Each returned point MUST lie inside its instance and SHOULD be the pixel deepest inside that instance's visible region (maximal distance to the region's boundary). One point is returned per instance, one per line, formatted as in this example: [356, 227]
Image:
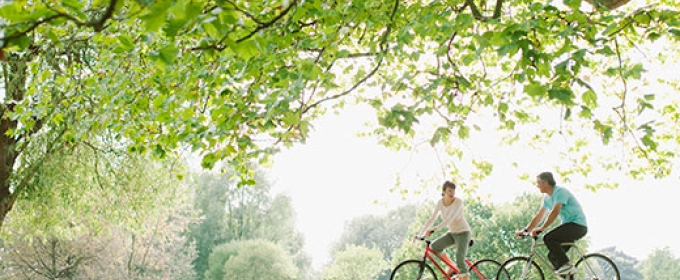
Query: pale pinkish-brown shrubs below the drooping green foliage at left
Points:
[159, 253]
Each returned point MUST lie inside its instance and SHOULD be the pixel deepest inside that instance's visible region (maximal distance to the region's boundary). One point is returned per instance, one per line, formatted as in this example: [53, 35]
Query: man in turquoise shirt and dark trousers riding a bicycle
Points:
[558, 201]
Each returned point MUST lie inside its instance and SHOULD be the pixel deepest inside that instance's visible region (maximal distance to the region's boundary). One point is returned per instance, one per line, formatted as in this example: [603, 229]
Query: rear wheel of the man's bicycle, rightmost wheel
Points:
[596, 267]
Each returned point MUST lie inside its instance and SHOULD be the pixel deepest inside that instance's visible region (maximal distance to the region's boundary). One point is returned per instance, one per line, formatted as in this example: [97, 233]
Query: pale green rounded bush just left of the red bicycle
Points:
[356, 262]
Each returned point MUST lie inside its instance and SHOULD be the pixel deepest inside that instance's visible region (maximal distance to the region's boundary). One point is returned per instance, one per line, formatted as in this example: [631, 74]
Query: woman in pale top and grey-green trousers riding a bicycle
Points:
[451, 210]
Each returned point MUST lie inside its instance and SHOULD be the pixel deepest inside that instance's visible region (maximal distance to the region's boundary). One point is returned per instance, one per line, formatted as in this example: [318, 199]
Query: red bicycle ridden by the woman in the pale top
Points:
[419, 269]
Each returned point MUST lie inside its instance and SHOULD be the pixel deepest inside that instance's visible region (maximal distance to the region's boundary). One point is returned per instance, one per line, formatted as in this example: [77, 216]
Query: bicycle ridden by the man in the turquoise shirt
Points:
[589, 266]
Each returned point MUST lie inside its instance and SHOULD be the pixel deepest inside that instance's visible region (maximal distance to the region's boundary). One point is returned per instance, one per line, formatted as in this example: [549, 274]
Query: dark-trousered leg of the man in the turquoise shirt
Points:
[568, 232]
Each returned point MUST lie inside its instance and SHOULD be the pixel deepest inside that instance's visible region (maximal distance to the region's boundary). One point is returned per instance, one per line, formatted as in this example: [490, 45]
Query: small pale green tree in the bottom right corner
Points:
[661, 264]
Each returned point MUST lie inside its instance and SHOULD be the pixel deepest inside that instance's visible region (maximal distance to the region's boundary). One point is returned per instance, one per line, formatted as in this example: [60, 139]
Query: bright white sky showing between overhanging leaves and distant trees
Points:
[337, 176]
